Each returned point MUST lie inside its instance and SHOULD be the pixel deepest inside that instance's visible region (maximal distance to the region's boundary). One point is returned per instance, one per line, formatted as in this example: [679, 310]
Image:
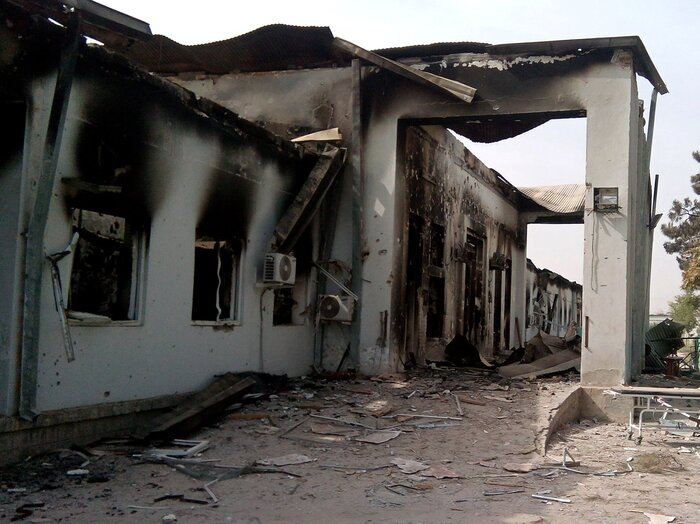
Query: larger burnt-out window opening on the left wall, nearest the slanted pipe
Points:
[106, 267]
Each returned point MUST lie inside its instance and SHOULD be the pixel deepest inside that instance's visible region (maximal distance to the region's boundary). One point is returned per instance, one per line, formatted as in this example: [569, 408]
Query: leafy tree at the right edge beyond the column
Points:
[684, 231]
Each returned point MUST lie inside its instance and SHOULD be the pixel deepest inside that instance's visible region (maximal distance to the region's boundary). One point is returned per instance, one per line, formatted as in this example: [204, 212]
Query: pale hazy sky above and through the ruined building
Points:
[670, 32]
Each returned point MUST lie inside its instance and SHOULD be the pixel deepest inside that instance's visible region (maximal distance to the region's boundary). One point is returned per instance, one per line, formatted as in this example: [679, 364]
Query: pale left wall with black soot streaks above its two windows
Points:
[135, 151]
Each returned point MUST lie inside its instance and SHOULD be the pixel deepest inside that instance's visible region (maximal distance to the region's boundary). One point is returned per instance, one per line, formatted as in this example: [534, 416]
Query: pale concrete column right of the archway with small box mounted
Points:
[611, 161]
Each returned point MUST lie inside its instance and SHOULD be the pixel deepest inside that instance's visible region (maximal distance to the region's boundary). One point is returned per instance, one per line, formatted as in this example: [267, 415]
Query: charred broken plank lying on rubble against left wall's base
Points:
[199, 407]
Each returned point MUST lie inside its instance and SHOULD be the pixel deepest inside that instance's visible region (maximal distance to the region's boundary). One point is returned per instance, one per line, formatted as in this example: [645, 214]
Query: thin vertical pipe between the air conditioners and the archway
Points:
[357, 210]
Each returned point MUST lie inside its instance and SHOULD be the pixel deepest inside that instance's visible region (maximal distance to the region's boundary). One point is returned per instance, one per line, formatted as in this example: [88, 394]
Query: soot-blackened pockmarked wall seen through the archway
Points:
[463, 245]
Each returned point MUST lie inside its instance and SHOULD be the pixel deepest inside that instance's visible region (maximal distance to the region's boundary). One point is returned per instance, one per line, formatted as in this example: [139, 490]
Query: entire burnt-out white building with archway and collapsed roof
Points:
[161, 227]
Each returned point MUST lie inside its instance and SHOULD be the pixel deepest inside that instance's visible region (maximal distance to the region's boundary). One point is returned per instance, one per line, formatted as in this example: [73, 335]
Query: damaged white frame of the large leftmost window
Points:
[138, 234]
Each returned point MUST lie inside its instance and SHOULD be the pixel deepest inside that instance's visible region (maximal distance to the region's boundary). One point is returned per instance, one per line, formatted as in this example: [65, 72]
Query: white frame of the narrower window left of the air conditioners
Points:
[234, 316]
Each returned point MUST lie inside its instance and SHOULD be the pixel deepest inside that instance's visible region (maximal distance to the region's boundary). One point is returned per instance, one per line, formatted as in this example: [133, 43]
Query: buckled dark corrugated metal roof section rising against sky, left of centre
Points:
[270, 48]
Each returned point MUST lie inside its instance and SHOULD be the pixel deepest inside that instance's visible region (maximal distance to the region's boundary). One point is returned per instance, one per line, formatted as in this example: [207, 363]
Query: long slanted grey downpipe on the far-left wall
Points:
[34, 260]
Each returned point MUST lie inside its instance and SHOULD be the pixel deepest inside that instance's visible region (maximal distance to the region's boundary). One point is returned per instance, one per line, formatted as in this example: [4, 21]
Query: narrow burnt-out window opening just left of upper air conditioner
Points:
[217, 270]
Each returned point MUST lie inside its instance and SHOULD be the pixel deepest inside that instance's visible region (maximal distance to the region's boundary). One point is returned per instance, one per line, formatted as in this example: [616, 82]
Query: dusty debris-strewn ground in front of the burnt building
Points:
[347, 480]
